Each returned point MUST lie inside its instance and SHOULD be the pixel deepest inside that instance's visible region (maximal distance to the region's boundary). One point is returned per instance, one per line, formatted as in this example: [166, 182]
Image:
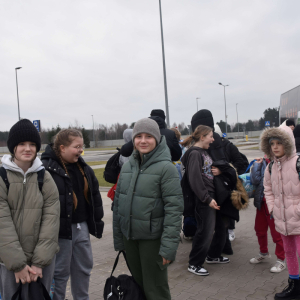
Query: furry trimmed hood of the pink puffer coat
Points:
[285, 134]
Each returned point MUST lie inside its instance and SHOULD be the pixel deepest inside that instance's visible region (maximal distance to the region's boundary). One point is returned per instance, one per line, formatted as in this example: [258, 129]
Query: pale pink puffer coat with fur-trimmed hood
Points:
[282, 187]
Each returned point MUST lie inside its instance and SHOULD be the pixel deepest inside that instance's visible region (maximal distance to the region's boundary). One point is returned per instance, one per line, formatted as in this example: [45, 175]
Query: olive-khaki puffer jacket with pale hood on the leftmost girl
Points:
[29, 219]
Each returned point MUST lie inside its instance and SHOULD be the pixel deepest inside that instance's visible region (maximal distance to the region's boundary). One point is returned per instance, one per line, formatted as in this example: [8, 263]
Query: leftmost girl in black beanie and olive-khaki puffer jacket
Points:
[29, 217]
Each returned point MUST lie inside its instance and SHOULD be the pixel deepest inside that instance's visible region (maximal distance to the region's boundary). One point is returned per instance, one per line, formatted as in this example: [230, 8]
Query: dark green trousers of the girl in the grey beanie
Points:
[147, 268]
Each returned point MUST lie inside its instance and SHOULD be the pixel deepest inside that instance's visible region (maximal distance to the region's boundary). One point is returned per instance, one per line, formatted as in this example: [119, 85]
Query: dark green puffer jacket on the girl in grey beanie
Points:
[148, 203]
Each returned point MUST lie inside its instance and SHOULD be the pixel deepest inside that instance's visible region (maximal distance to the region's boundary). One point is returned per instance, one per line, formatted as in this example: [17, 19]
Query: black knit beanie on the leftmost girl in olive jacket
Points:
[23, 131]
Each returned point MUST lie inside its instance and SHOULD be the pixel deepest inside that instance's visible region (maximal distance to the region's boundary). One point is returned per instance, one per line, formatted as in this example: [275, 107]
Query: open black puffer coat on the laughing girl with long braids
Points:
[64, 185]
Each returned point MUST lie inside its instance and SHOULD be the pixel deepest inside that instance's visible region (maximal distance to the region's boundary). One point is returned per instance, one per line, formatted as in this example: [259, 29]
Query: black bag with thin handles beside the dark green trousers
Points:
[124, 287]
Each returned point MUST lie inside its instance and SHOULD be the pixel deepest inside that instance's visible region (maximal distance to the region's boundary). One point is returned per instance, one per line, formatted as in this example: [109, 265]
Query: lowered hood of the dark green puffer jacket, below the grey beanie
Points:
[160, 153]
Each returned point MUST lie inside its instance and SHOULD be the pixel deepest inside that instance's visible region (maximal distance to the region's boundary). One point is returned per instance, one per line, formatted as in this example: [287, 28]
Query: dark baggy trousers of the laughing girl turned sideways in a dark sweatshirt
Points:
[206, 219]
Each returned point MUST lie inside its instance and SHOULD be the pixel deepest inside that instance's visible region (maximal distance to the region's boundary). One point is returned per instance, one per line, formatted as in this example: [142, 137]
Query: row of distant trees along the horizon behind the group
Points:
[115, 131]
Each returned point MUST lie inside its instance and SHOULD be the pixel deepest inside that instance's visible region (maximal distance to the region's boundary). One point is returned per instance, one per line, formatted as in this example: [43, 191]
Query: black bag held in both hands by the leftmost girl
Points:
[37, 291]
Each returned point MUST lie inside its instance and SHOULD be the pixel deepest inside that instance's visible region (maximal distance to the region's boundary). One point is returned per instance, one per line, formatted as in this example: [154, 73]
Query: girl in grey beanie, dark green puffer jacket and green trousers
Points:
[148, 209]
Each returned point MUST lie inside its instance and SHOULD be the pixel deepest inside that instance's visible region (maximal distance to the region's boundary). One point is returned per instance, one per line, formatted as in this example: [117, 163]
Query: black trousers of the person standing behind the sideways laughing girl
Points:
[219, 239]
